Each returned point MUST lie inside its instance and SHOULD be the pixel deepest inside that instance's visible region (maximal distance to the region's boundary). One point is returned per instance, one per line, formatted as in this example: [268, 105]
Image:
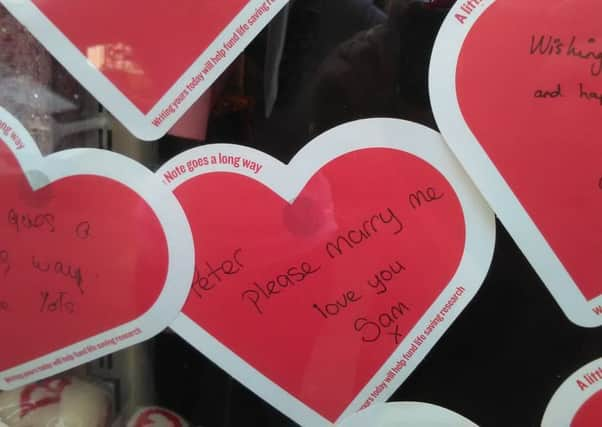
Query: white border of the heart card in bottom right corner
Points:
[568, 399]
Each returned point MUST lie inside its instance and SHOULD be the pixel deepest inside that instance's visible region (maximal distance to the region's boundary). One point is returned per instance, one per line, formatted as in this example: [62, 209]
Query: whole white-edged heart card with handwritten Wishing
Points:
[521, 113]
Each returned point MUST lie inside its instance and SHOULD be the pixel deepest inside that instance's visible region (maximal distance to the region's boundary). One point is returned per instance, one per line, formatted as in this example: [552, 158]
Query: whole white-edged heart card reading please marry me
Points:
[321, 284]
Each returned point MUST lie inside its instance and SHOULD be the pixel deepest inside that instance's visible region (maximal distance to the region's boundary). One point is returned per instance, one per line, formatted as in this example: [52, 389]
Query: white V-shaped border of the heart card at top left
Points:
[110, 96]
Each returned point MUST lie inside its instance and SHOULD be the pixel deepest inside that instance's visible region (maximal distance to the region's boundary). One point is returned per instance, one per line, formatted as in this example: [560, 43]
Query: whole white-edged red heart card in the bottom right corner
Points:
[578, 401]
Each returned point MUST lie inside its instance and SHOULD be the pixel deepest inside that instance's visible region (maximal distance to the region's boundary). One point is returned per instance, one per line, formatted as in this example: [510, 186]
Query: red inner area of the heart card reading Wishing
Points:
[546, 149]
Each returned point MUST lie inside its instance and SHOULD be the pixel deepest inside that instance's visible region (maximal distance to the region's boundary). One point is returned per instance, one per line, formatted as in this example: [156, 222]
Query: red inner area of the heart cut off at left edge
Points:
[104, 249]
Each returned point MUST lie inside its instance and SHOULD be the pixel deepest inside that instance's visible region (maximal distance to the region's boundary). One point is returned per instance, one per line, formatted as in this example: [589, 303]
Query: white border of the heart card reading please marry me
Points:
[370, 133]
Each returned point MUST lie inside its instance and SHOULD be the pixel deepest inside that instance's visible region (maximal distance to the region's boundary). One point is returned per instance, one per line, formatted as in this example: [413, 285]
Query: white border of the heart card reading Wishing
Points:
[442, 89]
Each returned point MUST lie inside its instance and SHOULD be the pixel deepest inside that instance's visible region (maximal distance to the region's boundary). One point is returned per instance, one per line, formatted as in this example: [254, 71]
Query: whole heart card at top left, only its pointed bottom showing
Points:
[145, 62]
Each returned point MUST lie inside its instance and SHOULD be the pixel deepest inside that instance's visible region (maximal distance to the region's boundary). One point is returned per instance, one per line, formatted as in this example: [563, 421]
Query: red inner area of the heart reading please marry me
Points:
[246, 236]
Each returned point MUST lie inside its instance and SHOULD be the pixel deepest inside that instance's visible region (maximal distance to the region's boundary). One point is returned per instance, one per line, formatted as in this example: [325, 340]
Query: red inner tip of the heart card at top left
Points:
[142, 47]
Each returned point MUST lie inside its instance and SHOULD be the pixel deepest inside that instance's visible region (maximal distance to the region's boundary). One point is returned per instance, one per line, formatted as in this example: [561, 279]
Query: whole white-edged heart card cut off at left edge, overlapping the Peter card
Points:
[93, 256]
